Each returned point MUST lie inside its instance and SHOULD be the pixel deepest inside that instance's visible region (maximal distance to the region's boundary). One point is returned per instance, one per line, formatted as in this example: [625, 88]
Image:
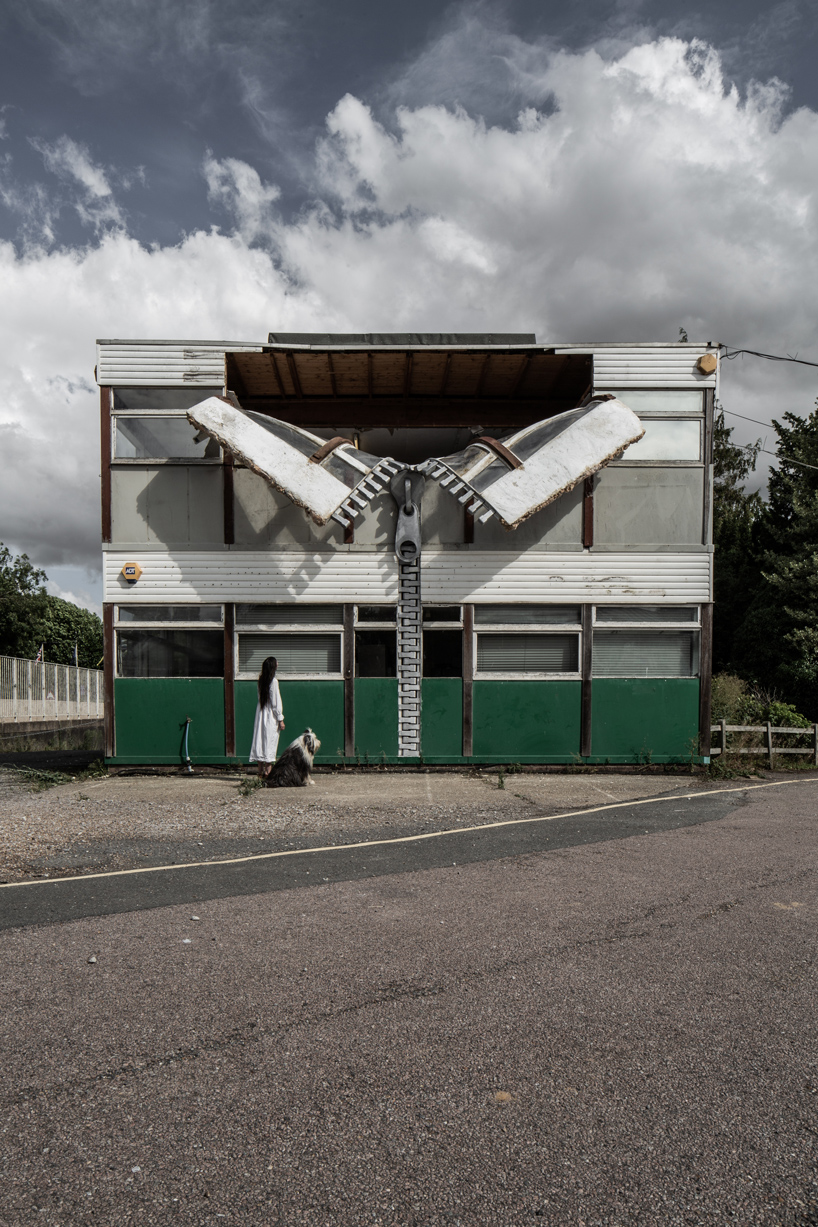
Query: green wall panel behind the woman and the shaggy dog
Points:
[313, 705]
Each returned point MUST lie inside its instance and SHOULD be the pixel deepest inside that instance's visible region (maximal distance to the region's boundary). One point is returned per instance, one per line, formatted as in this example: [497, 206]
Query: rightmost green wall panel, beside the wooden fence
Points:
[646, 718]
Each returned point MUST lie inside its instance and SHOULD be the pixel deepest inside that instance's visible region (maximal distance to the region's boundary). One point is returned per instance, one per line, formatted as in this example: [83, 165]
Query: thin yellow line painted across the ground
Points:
[383, 844]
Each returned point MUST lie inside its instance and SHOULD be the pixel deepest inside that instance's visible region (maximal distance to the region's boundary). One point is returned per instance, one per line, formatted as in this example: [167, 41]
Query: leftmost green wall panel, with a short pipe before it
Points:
[150, 715]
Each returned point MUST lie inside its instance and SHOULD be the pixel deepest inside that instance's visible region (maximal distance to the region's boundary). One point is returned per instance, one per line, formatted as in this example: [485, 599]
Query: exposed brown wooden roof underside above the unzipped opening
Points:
[421, 383]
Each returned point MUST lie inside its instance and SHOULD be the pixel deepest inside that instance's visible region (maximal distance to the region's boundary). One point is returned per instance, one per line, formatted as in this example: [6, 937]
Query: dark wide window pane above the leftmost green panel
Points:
[171, 653]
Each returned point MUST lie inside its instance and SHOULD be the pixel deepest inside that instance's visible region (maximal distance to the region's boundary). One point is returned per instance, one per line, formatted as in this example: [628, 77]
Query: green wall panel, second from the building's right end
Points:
[537, 720]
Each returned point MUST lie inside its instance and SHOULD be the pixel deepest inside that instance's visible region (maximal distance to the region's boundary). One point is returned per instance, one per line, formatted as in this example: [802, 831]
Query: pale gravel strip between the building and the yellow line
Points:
[121, 823]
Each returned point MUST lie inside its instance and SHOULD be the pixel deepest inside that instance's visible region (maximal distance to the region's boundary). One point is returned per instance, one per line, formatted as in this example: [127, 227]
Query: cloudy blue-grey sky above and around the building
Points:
[223, 169]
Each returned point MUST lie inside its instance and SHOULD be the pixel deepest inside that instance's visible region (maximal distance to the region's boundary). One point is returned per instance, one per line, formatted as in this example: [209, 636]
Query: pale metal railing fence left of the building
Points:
[32, 690]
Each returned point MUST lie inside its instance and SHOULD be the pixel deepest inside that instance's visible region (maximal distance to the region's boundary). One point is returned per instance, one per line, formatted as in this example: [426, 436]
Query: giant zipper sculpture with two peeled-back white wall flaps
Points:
[511, 478]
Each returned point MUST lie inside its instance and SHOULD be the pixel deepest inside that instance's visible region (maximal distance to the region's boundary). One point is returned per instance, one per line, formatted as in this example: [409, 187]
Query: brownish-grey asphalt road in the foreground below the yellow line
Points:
[613, 1028]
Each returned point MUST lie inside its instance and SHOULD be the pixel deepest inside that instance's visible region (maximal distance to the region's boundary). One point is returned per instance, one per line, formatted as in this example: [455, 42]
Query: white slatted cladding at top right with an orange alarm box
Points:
[649, 366]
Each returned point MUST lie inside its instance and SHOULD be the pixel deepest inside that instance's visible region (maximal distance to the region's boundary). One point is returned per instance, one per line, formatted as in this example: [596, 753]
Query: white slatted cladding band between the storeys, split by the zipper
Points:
[447, 577]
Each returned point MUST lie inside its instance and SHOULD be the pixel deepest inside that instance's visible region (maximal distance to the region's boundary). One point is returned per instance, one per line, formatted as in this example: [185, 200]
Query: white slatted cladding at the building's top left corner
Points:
[181, 364]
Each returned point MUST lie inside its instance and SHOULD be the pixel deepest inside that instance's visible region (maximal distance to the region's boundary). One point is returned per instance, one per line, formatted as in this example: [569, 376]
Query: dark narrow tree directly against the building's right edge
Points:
[735, 512]
